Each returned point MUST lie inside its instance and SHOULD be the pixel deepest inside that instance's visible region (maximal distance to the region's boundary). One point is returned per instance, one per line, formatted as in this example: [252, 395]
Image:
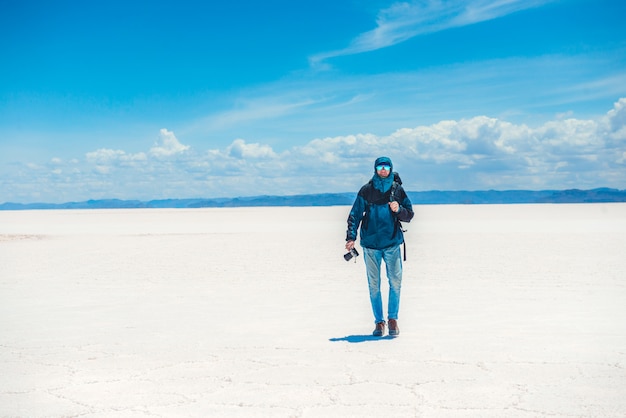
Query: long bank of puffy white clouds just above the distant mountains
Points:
[472, 154]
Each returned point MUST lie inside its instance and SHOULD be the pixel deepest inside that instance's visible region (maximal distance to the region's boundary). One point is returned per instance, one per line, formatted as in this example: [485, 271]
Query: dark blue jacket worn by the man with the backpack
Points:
[380, 227]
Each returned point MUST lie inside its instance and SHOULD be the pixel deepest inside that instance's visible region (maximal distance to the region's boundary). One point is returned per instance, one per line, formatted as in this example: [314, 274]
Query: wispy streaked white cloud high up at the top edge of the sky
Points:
[405, 20]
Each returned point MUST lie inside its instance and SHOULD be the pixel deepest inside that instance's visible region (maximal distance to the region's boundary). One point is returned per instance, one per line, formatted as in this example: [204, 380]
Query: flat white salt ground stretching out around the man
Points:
[507, 311]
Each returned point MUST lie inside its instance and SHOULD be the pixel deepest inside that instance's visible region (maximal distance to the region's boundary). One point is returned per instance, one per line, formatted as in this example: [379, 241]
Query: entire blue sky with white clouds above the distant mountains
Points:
[180, 99]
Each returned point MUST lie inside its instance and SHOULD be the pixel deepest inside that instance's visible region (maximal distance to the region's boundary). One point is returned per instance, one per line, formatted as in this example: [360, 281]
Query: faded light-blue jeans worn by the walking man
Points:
[393, 265]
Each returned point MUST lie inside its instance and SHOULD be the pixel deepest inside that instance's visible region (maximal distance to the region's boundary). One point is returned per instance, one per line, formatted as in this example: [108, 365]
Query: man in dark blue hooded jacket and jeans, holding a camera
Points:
[379, 207]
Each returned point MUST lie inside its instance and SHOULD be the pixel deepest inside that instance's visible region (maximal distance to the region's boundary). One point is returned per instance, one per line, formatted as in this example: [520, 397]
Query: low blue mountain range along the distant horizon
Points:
[434, 197]
